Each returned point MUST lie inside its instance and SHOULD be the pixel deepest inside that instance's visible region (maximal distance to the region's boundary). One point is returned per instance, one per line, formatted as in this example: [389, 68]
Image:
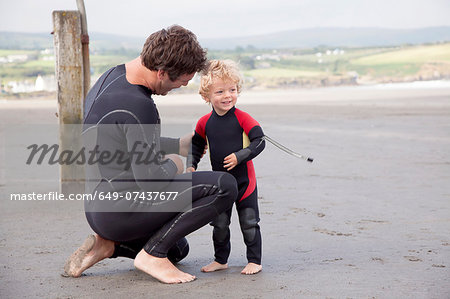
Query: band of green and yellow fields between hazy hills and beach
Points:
[272, 68]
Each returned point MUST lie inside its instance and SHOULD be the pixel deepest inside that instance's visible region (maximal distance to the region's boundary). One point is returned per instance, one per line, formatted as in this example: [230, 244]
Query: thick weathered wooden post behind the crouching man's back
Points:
[69, 76]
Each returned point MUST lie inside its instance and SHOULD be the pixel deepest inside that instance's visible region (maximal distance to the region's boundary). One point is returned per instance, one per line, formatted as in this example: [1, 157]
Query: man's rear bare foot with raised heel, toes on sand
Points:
[93, 250]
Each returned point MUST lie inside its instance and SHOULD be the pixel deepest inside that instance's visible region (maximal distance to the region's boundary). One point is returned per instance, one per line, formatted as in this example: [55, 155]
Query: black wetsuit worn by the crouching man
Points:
[125, 119]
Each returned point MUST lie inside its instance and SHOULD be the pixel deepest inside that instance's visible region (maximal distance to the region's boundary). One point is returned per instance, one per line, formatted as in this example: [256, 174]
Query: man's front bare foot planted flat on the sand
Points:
[160, 268]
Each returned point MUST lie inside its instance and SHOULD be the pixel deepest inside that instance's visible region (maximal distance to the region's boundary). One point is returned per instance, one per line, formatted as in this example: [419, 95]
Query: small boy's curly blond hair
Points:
[226, 70]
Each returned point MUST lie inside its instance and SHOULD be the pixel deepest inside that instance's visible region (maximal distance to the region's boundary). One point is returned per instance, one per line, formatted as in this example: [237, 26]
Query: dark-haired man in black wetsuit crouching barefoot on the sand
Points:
[119, 108]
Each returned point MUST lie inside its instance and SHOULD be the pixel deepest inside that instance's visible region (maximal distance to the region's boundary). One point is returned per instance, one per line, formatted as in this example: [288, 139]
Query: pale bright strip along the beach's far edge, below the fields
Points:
[288, 96]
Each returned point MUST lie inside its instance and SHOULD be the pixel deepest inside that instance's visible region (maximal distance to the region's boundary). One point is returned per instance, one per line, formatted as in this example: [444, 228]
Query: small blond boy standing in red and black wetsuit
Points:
[234, 138]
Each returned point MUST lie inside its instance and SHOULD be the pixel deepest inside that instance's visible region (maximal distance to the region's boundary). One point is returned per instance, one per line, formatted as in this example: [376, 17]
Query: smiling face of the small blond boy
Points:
[222, 95]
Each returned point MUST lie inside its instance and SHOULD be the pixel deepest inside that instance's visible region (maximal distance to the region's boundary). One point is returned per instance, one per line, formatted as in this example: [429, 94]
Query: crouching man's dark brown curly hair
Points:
[174, 50]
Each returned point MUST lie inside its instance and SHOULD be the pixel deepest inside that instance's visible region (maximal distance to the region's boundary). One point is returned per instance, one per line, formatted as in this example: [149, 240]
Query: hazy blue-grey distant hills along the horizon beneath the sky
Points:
[301, 38]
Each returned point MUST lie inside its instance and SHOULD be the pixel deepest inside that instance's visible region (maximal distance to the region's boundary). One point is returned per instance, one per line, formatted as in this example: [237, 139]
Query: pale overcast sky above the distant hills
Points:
[226, 18]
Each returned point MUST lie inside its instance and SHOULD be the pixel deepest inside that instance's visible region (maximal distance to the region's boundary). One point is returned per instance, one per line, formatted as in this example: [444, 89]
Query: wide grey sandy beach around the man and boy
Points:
[369, 218]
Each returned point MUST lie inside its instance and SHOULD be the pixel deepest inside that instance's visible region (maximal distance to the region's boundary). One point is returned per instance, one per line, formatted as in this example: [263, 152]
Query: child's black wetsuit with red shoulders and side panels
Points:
[235, 132]
